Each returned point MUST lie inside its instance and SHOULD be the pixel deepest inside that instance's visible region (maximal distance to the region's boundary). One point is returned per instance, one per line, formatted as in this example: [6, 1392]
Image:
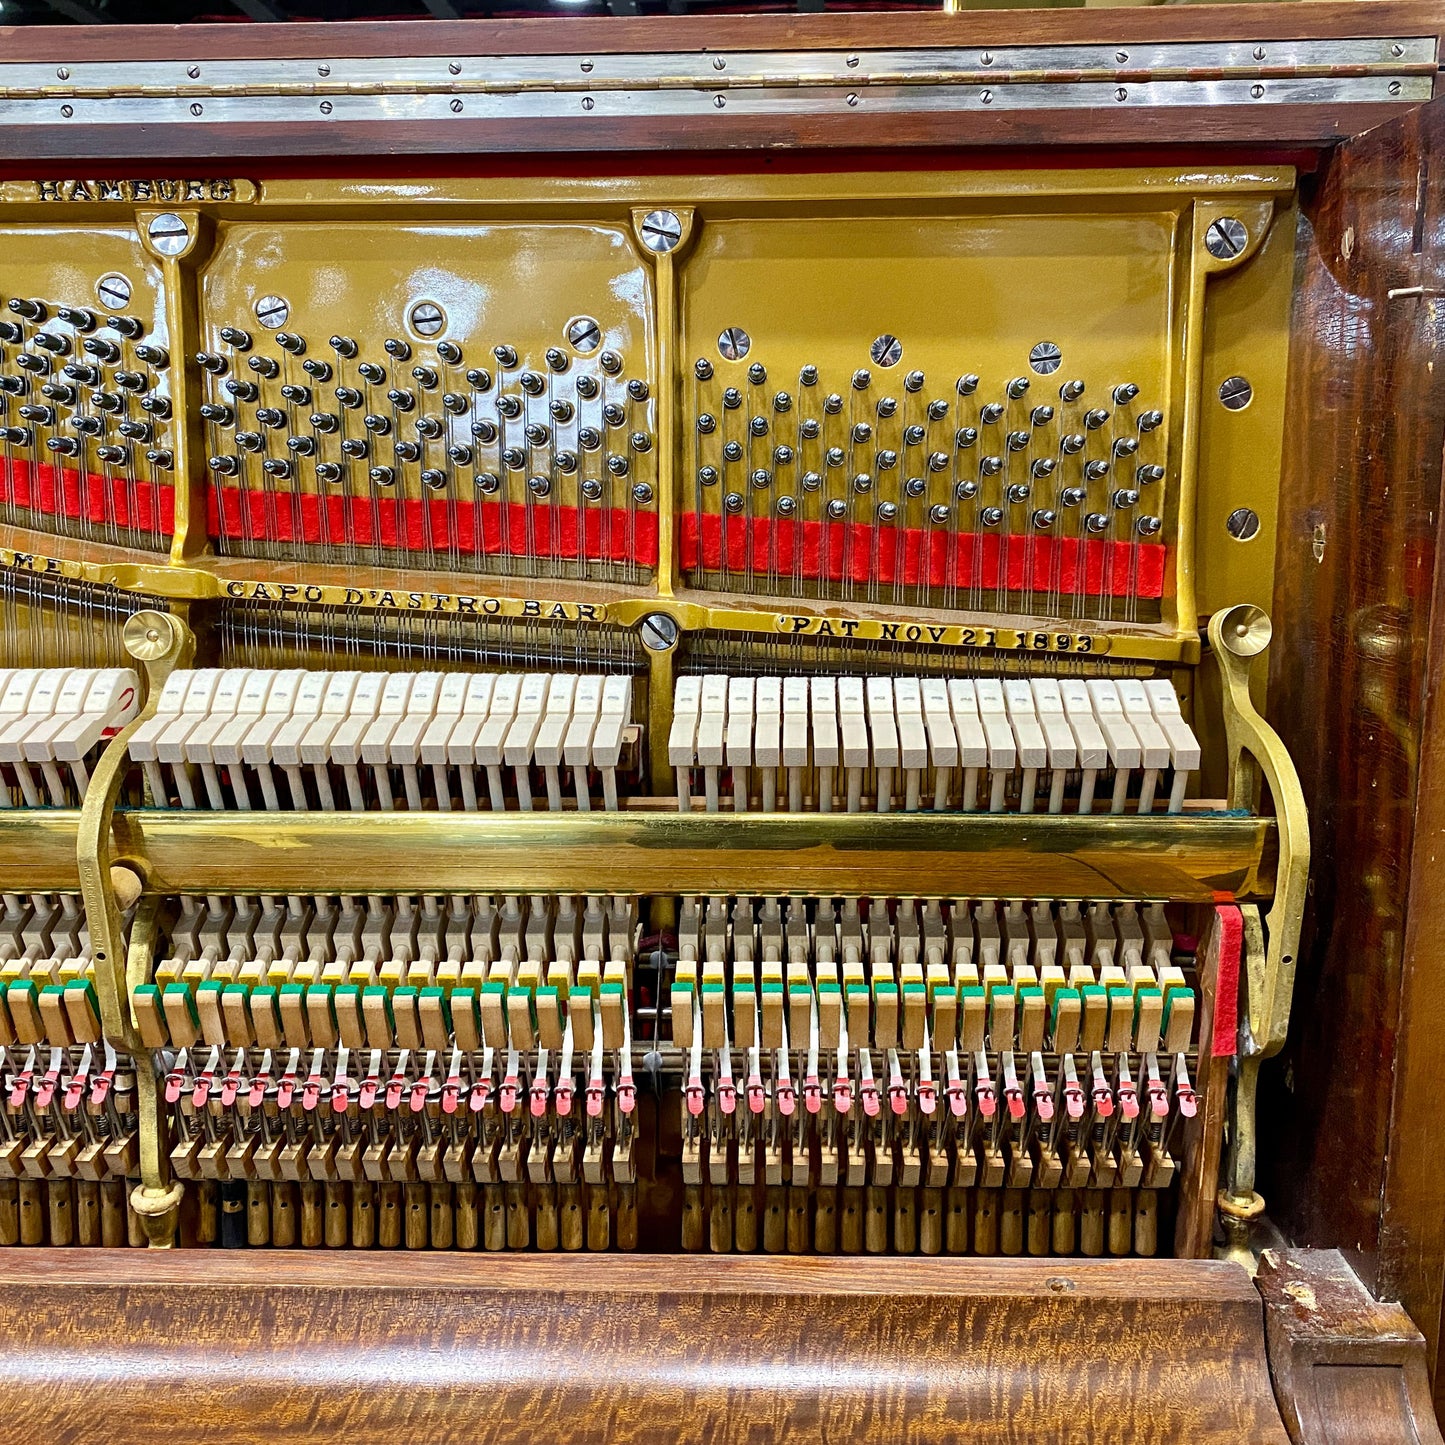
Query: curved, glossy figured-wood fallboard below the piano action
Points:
[269, 1347]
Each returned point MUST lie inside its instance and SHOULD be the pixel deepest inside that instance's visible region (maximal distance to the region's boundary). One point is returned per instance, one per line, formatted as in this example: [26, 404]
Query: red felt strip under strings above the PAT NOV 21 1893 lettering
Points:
[860, 553]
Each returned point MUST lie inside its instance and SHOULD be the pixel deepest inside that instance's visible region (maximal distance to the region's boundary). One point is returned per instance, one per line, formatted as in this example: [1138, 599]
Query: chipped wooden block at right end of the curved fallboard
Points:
[1347, 1369]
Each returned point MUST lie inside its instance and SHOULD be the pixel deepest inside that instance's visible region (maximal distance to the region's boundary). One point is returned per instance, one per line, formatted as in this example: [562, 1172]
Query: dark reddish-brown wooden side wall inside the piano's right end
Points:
[1352, 1123]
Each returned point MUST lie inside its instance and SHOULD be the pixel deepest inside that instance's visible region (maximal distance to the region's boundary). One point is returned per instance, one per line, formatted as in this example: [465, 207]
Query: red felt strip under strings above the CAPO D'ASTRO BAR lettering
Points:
[415, 525]
